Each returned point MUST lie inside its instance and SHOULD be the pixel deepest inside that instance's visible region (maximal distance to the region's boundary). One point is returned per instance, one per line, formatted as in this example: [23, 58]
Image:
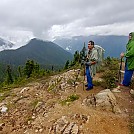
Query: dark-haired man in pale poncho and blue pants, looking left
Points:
[91, 63]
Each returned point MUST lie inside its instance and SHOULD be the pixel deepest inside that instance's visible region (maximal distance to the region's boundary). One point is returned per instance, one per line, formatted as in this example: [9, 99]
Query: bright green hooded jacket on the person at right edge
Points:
[129, 54]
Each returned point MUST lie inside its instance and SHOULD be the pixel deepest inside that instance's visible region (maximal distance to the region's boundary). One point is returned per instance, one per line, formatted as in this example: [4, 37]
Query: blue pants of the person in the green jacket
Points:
[127, 76]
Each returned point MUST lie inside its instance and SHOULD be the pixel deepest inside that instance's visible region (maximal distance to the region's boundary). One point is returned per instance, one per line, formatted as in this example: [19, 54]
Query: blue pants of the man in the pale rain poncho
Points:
[89, 78]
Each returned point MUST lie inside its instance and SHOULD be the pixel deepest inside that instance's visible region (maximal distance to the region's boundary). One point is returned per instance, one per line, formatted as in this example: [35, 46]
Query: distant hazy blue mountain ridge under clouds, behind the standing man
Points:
[113, 45]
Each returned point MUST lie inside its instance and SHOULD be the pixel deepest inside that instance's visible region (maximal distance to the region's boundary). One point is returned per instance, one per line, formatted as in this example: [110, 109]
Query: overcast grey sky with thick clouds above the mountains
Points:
[21, 20]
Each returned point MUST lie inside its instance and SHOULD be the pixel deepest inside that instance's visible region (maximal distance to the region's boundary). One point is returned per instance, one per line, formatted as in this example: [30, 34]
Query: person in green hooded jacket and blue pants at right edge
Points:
[129, 64]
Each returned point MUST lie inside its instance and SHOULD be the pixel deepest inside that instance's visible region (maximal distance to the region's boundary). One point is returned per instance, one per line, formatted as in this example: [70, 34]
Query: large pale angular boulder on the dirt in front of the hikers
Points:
[104, 100]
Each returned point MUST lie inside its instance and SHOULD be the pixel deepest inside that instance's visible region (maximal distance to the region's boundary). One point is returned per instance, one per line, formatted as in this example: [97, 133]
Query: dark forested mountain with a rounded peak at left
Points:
[40, 51]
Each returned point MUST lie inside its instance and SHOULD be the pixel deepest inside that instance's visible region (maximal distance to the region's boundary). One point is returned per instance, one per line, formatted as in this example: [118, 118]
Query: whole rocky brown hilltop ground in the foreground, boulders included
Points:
[61, 105]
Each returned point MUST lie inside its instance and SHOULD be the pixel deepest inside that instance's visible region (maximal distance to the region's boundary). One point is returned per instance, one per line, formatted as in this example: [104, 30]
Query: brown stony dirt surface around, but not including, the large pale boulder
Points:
[32, 109]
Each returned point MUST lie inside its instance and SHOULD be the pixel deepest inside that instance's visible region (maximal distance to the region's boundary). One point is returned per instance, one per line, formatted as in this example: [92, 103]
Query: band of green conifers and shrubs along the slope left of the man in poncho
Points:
[14, 76]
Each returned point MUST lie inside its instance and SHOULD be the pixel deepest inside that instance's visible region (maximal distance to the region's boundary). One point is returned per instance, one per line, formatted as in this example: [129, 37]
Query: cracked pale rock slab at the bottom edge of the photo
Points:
[69, 125]
